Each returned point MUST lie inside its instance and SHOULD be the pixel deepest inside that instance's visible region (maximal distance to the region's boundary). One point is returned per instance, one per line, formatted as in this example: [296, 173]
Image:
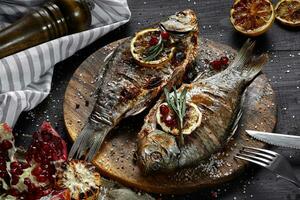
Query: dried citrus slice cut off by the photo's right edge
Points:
[288, 12]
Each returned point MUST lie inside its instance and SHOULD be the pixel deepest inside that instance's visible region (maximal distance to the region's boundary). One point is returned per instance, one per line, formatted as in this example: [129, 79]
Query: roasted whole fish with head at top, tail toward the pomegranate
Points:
[125, 88]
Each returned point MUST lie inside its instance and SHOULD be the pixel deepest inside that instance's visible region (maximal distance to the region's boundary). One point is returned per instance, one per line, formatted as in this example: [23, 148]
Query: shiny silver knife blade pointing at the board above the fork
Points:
[291, 141]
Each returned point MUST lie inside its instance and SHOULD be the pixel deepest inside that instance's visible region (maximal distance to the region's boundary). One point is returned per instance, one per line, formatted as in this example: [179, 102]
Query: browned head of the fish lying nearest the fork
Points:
[158, 151]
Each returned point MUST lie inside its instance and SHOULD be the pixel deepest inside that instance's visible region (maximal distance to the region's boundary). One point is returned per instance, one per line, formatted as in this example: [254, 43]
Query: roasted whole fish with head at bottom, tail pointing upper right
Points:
[217, 99]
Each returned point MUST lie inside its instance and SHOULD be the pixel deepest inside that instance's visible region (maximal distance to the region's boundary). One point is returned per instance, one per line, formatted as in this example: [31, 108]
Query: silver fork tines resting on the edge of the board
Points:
[261, 157]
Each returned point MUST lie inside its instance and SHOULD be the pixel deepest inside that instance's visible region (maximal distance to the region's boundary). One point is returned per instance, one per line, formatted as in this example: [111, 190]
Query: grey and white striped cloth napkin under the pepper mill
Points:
[25, 77]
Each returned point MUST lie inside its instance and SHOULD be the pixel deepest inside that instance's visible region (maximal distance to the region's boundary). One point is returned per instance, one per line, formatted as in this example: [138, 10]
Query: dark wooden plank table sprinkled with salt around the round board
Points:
[283, 71]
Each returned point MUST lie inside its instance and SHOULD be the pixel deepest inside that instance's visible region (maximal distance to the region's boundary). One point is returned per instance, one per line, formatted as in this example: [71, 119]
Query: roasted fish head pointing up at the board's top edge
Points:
[181, 22]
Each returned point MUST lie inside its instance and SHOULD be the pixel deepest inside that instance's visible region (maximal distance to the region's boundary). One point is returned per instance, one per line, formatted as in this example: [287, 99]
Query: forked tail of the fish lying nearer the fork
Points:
[244, 56]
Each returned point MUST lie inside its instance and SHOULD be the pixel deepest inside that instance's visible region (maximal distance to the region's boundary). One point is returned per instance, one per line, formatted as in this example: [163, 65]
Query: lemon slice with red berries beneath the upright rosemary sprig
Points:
[166, 118]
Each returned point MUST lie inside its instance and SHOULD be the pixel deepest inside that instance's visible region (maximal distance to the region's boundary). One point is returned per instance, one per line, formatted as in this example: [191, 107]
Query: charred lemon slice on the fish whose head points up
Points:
[140, 45]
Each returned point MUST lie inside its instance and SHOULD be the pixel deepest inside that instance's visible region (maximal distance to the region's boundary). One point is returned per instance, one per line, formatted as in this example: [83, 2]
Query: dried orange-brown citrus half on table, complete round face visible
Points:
[252, 17]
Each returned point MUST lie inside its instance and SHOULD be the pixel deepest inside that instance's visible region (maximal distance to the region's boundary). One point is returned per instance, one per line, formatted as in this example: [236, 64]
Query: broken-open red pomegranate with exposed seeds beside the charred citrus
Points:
[37, 173]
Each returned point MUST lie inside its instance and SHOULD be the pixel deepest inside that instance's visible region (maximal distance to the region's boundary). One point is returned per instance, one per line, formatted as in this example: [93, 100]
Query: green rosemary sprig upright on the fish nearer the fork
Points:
[178, 105]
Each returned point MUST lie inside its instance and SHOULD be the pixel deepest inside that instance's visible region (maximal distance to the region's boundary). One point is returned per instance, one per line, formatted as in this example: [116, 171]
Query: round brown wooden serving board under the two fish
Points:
[116, 158]
